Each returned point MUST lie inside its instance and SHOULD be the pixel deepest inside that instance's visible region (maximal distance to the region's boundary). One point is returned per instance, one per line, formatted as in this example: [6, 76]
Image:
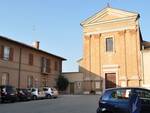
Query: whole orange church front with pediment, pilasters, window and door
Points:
[112, 45]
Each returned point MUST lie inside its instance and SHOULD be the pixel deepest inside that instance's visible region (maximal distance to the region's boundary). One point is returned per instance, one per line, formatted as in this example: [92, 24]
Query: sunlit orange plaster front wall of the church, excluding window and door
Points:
[125, 60]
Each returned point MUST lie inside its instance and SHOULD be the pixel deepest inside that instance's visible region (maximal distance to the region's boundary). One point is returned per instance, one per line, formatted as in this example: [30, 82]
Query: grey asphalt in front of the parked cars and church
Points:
[63, 104]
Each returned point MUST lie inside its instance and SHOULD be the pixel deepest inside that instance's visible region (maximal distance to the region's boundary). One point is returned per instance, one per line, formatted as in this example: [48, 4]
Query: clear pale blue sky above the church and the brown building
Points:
[56, 23]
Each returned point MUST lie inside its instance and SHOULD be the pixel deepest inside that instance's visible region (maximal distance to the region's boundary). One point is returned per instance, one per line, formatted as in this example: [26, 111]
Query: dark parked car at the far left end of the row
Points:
[8, 93]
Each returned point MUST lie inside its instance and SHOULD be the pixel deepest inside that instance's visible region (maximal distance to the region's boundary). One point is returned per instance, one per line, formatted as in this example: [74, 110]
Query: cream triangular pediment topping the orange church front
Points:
[109, 14]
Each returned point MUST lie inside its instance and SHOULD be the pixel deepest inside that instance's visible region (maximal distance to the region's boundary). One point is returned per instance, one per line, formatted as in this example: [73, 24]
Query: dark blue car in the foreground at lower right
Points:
[117, 100]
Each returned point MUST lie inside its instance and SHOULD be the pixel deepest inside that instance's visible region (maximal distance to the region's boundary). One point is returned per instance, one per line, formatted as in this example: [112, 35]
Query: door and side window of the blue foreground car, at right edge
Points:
[145, 99]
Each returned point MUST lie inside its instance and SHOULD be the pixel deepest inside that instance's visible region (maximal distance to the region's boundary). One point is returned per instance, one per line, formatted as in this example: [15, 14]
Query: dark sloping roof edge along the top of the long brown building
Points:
[28, 46]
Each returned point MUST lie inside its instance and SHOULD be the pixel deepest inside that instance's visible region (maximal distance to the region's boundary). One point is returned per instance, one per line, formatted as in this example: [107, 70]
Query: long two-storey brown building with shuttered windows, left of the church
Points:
[24, 66]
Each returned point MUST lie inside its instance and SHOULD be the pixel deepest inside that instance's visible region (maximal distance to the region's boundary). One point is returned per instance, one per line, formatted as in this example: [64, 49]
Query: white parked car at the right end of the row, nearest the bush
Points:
[50, 92]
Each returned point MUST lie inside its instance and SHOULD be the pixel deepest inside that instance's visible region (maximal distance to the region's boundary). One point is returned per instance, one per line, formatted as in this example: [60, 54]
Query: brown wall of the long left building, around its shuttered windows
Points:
[12, 67]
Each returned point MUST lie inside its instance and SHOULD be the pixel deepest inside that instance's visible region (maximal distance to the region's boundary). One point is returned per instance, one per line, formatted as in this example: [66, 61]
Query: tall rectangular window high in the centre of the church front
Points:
[109, 44]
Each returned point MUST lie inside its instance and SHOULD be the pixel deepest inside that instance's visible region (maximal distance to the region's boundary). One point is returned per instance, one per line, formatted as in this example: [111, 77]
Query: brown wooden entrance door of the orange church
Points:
[110, 80]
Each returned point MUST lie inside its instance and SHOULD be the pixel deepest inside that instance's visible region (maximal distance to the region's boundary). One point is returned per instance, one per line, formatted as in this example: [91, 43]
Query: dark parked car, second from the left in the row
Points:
[24, 94]
